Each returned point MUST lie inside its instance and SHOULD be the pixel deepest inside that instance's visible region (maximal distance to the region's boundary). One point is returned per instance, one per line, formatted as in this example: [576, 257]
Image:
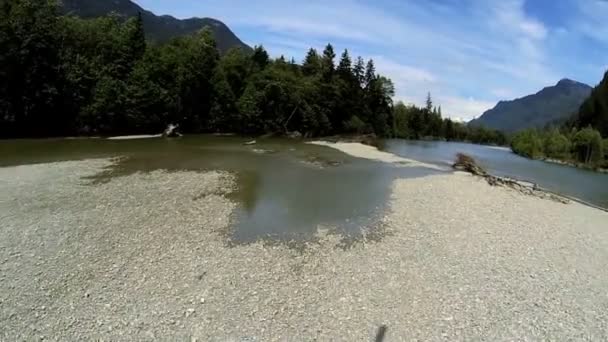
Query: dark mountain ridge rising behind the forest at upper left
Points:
[158, 28]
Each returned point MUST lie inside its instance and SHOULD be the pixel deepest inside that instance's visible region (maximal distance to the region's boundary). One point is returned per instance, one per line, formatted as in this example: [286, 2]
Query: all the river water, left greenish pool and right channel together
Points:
[286, 189]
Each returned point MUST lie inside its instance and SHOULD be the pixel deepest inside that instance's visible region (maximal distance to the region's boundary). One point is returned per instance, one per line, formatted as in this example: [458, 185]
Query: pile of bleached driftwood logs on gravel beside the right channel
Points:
[468, 164]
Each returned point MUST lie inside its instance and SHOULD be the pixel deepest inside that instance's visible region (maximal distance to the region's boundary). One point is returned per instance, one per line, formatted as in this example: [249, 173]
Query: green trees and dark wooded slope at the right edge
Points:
[577, 141]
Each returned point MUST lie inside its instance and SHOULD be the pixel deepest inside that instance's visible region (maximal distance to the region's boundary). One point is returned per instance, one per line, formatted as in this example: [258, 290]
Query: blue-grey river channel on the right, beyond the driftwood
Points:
[584, 184]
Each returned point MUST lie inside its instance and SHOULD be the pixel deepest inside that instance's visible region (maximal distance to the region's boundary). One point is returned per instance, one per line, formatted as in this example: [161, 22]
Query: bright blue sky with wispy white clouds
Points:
[469, 54]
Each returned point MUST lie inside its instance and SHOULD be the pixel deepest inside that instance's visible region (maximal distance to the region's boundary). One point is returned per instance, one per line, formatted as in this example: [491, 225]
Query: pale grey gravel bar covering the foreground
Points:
[145, 257]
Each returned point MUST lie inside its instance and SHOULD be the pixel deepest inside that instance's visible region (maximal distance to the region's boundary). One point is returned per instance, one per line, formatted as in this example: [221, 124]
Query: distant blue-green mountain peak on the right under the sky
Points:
[551, 105]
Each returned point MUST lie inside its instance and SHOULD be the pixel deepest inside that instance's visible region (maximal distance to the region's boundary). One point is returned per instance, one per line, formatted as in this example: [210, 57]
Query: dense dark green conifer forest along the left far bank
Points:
[65, 76]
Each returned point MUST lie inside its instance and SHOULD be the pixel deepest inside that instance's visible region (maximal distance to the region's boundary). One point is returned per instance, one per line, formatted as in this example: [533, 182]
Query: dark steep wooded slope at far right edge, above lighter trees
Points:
[594, 111]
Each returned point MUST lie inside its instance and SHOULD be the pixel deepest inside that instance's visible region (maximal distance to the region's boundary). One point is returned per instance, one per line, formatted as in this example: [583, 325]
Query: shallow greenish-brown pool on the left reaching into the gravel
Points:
[285, 188]
